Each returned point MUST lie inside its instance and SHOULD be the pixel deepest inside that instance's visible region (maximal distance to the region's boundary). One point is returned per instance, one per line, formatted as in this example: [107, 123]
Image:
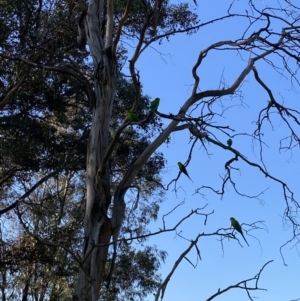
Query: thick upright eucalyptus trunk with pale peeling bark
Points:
[97, 226]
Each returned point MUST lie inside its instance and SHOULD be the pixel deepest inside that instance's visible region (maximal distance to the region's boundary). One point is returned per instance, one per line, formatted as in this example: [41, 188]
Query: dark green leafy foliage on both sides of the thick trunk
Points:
[46, 93]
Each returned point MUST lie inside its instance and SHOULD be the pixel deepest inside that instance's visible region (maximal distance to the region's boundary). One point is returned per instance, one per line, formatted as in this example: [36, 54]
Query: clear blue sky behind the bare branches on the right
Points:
[168, 75]
